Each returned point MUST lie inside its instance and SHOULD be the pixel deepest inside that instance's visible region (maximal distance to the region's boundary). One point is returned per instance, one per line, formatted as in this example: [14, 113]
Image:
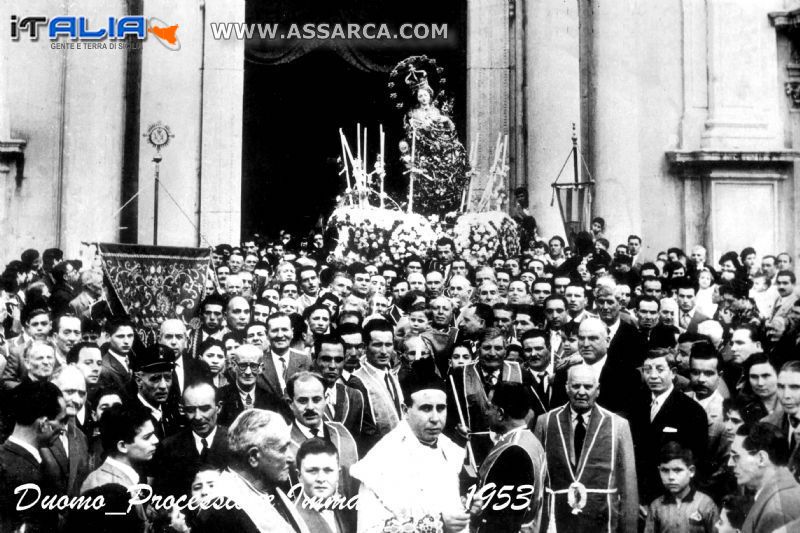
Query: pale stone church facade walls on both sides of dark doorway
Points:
[687, 116]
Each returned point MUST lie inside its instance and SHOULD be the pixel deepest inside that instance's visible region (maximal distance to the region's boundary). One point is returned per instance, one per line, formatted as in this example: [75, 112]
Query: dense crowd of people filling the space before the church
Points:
[571, 388]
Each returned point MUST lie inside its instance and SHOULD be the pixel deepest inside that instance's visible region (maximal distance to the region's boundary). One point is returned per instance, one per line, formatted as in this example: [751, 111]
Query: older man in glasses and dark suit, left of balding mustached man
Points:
[244, 392]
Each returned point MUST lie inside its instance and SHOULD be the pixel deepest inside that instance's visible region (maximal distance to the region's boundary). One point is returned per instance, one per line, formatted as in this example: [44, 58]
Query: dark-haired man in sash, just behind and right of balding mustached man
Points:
[343, 403]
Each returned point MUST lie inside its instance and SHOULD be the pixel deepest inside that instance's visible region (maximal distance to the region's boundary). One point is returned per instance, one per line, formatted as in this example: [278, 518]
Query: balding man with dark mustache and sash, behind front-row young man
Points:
[305, 394]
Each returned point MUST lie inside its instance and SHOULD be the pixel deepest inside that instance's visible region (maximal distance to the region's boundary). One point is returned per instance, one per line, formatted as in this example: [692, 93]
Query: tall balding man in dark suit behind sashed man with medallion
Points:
[618, 379]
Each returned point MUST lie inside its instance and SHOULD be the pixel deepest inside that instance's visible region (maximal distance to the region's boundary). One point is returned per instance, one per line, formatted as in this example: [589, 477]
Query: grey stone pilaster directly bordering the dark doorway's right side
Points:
[487, 81]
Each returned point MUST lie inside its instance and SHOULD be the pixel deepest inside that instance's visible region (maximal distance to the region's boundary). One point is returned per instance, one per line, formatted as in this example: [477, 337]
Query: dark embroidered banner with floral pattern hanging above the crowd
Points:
[151, 284]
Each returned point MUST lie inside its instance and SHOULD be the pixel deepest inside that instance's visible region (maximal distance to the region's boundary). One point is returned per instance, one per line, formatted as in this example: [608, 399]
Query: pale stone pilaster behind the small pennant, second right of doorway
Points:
[553, 103]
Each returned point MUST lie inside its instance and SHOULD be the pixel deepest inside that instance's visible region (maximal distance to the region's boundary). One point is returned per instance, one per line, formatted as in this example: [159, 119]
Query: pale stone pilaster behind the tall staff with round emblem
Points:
[171, 94]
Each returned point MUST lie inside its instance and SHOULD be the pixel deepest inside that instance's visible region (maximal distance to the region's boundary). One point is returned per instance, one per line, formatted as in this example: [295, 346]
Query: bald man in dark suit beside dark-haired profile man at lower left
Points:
[66, 461]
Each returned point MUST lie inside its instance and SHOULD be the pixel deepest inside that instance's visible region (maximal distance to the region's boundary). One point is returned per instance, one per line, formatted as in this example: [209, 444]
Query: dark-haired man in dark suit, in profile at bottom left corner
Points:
[40, 417]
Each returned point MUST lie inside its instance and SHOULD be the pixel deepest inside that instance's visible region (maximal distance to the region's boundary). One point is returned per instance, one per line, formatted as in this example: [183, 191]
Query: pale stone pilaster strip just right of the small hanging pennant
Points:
[614, 121]
